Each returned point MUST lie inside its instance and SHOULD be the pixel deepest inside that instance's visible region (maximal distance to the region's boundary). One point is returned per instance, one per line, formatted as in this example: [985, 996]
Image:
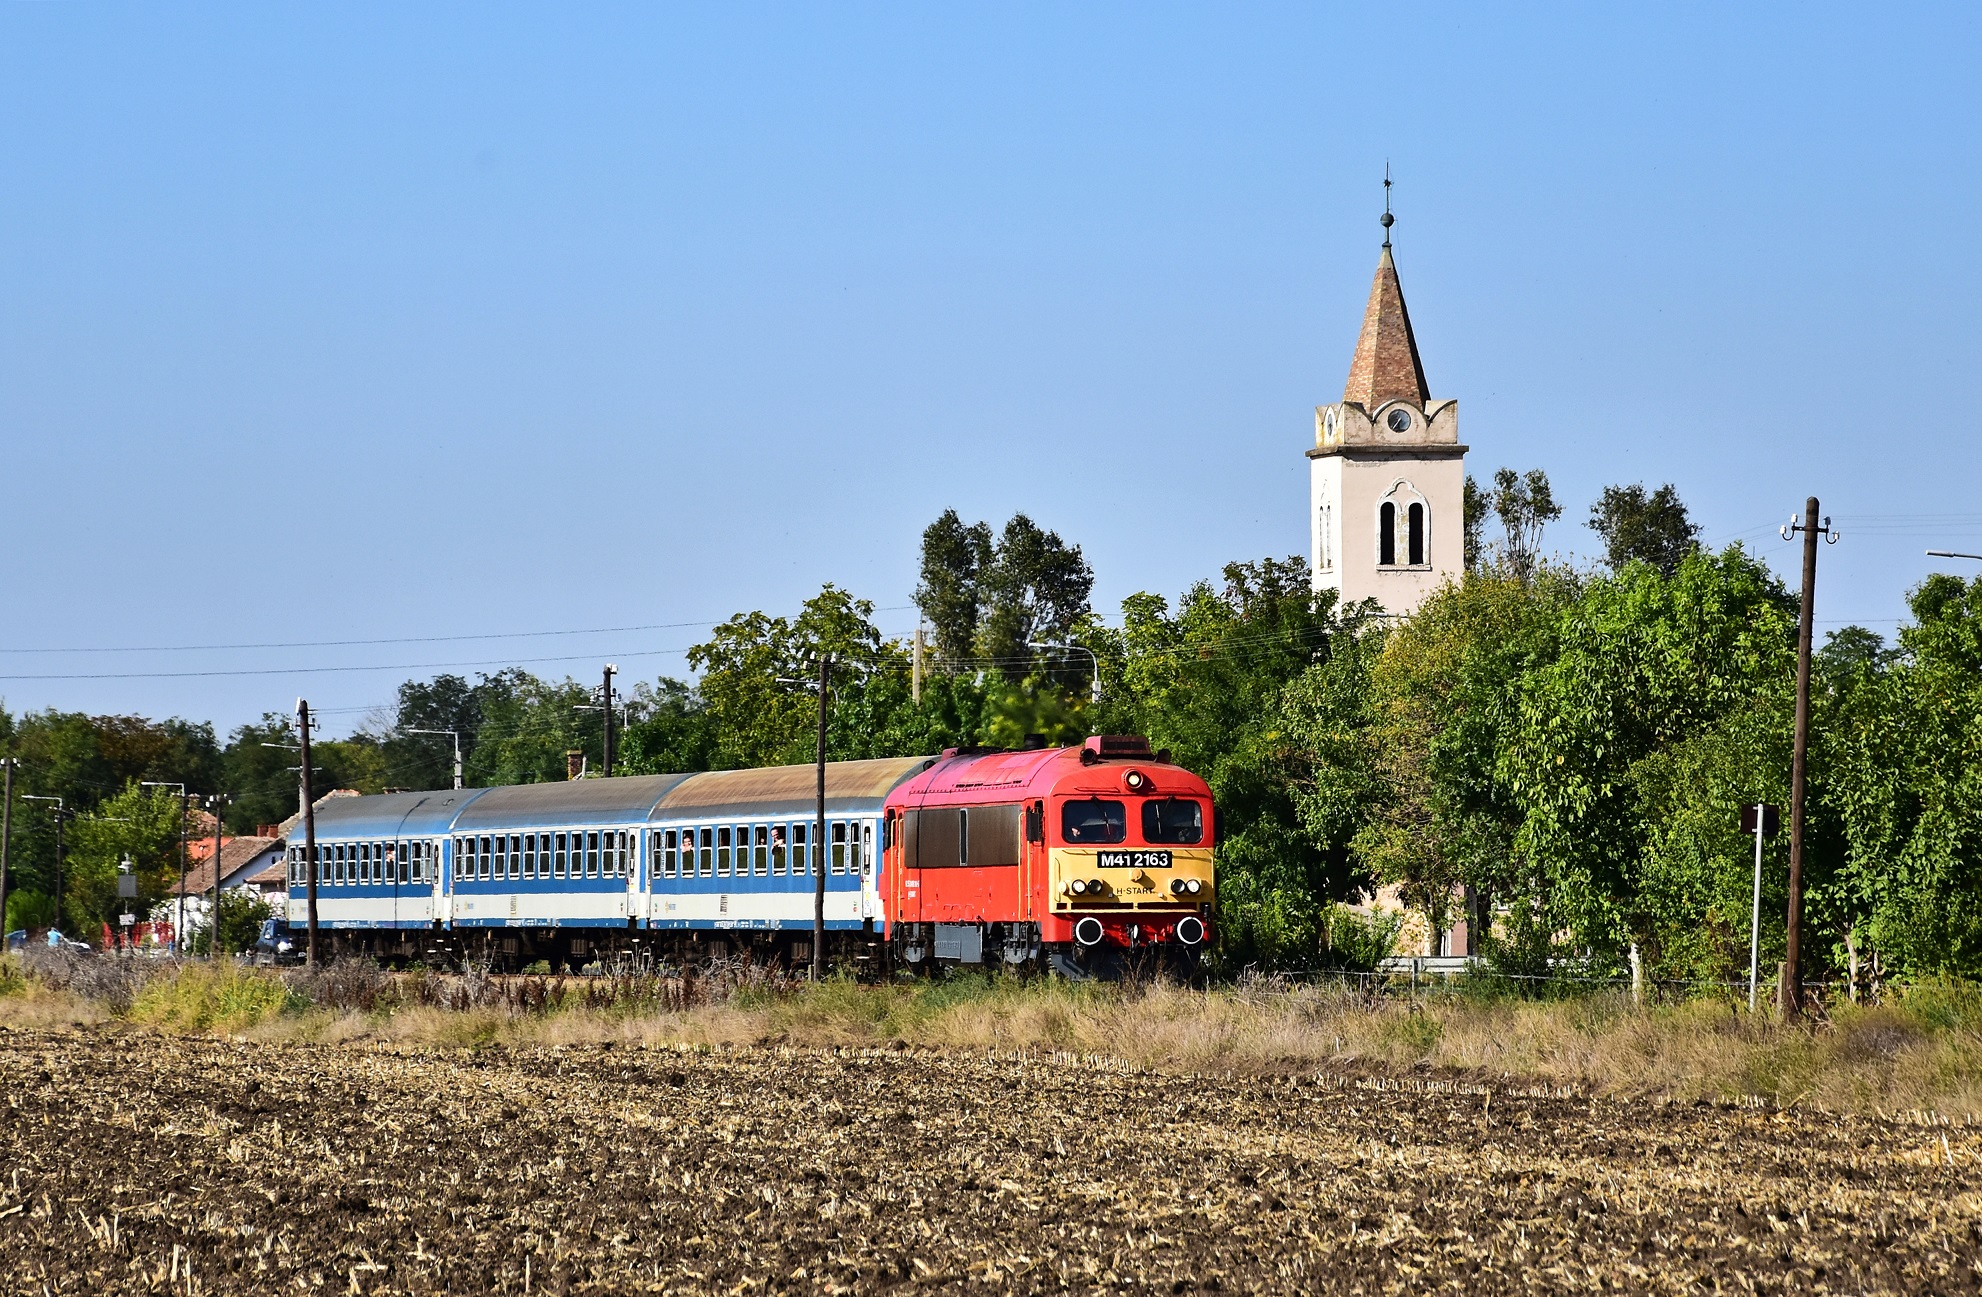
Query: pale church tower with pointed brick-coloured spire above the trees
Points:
[1388, 479]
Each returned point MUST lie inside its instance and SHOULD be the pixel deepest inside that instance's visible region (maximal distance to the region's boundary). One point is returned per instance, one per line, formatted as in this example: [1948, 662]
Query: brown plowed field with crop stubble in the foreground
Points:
[140, 1165]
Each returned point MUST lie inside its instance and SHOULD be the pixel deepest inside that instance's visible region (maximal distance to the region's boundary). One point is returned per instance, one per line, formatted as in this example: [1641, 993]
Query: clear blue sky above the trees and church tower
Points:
[384, 320]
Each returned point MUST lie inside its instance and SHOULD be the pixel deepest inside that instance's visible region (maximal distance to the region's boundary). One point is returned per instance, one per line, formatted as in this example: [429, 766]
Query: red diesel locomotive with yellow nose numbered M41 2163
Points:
[1069, 858]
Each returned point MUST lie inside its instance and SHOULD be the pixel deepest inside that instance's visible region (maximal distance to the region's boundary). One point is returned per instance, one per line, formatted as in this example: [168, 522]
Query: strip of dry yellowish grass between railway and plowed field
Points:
[1920, 1052]
